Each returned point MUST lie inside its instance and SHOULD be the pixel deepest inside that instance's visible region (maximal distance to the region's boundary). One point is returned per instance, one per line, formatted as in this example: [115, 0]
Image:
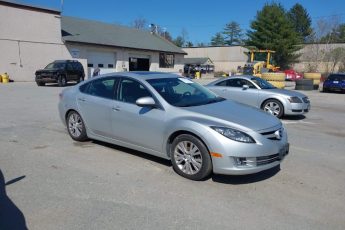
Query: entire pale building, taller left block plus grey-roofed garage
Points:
[31, 37]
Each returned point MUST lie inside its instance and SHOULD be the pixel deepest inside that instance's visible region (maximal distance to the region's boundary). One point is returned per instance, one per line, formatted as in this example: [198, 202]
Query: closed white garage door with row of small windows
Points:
[101, 59]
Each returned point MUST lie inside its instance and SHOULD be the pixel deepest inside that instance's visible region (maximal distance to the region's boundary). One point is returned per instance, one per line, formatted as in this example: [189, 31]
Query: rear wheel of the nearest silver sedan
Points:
[76, 127]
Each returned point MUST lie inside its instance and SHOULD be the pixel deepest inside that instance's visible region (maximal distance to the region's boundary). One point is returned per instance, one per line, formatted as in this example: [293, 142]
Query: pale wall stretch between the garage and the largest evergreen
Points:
[224, 58]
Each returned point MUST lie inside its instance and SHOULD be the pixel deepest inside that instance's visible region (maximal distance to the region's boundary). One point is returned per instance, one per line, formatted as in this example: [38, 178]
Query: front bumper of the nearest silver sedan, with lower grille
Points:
[247, 158]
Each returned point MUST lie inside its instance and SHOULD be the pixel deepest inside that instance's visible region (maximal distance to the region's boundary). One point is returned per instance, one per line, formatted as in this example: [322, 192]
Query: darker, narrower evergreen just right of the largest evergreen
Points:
[301, 21]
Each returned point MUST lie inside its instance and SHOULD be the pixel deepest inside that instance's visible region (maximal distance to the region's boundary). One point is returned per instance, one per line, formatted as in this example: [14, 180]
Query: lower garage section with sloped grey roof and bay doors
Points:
[118, 48]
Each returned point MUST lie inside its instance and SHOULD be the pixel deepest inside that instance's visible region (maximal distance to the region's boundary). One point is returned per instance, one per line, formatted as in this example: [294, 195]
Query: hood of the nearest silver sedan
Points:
[237, 114]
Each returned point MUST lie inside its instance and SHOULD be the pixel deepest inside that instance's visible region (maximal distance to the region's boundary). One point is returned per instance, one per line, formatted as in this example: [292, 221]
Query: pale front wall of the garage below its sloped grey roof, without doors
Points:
[122, 57]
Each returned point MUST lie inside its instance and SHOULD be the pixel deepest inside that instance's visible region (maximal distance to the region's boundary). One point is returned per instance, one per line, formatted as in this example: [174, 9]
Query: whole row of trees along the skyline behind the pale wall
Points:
[273, 28]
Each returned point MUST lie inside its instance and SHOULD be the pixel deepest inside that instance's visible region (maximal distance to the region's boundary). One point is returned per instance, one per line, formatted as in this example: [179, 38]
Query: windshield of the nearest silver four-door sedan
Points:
[182, 92]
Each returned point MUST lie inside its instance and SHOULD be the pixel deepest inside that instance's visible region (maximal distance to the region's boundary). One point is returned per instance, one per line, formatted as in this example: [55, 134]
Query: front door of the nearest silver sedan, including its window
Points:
[143, 127]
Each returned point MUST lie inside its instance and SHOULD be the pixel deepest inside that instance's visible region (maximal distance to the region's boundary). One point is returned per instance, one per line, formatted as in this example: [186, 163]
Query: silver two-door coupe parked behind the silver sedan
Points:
[259, 93]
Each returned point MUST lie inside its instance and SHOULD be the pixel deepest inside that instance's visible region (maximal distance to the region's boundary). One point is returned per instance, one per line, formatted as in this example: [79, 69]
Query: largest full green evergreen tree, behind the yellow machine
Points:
[273, 30]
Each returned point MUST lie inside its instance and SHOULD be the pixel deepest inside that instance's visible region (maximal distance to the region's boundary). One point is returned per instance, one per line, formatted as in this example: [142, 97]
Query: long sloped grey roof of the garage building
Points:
[93, 32]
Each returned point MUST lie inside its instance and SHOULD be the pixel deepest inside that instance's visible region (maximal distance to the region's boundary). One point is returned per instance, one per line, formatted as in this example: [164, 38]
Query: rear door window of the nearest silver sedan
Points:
[102, 88]
